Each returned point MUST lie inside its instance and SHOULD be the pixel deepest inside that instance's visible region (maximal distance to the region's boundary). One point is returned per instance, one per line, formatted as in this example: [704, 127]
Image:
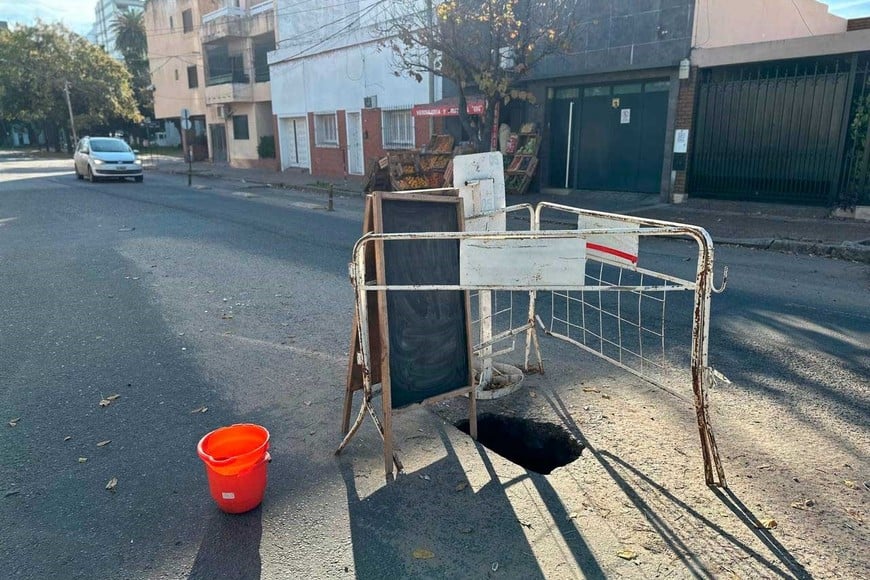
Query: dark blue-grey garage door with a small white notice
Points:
[608, 137]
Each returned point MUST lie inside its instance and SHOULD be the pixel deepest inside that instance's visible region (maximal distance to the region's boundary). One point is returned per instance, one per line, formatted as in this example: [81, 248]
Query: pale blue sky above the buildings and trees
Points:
[78, 15]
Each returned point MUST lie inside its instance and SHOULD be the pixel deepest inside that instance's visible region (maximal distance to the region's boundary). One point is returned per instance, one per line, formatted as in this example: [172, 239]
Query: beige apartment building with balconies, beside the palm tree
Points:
[208, 59]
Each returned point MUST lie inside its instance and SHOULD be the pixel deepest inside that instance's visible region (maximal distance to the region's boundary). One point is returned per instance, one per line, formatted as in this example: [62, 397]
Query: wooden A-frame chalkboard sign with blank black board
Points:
[404, 379]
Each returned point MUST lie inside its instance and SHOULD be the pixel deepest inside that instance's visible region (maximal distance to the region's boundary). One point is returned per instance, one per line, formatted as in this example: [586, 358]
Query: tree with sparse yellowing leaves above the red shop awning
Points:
[485, 46]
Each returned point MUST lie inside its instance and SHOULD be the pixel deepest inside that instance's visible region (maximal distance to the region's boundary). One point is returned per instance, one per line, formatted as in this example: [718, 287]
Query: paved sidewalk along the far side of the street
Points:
[779, 227]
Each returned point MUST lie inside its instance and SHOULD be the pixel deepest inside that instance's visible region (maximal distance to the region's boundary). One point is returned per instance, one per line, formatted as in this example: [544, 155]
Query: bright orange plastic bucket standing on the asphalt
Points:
[236, 460]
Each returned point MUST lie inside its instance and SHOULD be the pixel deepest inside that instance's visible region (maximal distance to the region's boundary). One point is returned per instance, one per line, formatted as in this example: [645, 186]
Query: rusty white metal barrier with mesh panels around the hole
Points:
[615, 308]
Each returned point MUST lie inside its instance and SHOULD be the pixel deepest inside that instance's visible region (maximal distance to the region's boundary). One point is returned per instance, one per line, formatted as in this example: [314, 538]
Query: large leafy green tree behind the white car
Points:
[38, 62]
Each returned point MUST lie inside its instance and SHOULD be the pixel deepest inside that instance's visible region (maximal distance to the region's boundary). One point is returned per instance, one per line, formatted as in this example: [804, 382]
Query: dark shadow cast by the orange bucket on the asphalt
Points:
[230, 547]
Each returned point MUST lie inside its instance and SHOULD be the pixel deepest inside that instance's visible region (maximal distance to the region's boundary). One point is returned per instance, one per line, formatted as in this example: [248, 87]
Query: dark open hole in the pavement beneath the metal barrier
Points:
[536, 446]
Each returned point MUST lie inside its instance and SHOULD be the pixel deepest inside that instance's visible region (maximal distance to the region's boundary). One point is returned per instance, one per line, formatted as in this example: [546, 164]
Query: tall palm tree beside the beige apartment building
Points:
[128, 27]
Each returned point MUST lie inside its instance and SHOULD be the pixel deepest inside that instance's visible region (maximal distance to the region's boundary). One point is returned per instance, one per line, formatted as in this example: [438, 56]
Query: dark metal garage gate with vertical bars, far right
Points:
[789, 131]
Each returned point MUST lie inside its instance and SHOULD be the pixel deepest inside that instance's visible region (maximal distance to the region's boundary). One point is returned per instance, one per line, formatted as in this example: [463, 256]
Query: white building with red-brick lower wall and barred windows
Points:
[337, 102]
